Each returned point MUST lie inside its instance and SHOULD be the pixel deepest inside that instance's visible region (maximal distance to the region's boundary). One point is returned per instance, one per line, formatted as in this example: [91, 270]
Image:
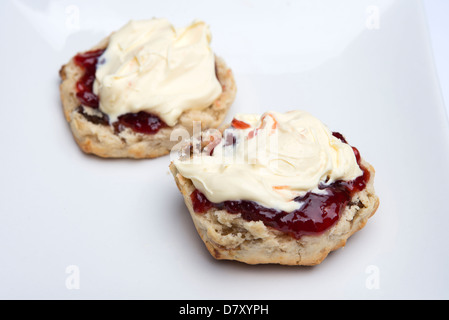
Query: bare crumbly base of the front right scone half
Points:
[230, 237]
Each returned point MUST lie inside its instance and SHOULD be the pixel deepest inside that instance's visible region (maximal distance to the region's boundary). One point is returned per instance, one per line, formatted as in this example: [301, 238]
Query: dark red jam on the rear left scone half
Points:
[141, 122]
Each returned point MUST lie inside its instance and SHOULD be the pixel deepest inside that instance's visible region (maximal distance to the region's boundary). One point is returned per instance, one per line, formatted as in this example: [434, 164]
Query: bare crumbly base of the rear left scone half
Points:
[103, 141]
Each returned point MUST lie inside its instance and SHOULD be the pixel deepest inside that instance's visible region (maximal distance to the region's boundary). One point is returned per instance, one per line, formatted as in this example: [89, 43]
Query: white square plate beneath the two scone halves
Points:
[364, 67]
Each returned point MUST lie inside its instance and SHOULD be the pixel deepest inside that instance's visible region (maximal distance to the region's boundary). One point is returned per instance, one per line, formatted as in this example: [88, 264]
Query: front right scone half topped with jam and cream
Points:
[277, 188]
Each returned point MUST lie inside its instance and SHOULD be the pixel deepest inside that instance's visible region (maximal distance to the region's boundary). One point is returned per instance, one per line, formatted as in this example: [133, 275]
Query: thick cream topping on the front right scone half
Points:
[278, 157]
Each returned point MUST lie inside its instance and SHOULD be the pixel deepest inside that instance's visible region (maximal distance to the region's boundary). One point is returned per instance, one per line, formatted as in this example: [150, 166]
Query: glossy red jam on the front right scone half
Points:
[318, 213]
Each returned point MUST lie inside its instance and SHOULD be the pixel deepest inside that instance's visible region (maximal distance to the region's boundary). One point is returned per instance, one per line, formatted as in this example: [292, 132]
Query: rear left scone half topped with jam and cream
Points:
[124, 97]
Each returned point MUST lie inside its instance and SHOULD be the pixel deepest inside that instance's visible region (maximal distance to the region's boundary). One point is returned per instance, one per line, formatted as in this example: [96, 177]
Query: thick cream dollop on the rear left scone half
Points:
[151, 66]
